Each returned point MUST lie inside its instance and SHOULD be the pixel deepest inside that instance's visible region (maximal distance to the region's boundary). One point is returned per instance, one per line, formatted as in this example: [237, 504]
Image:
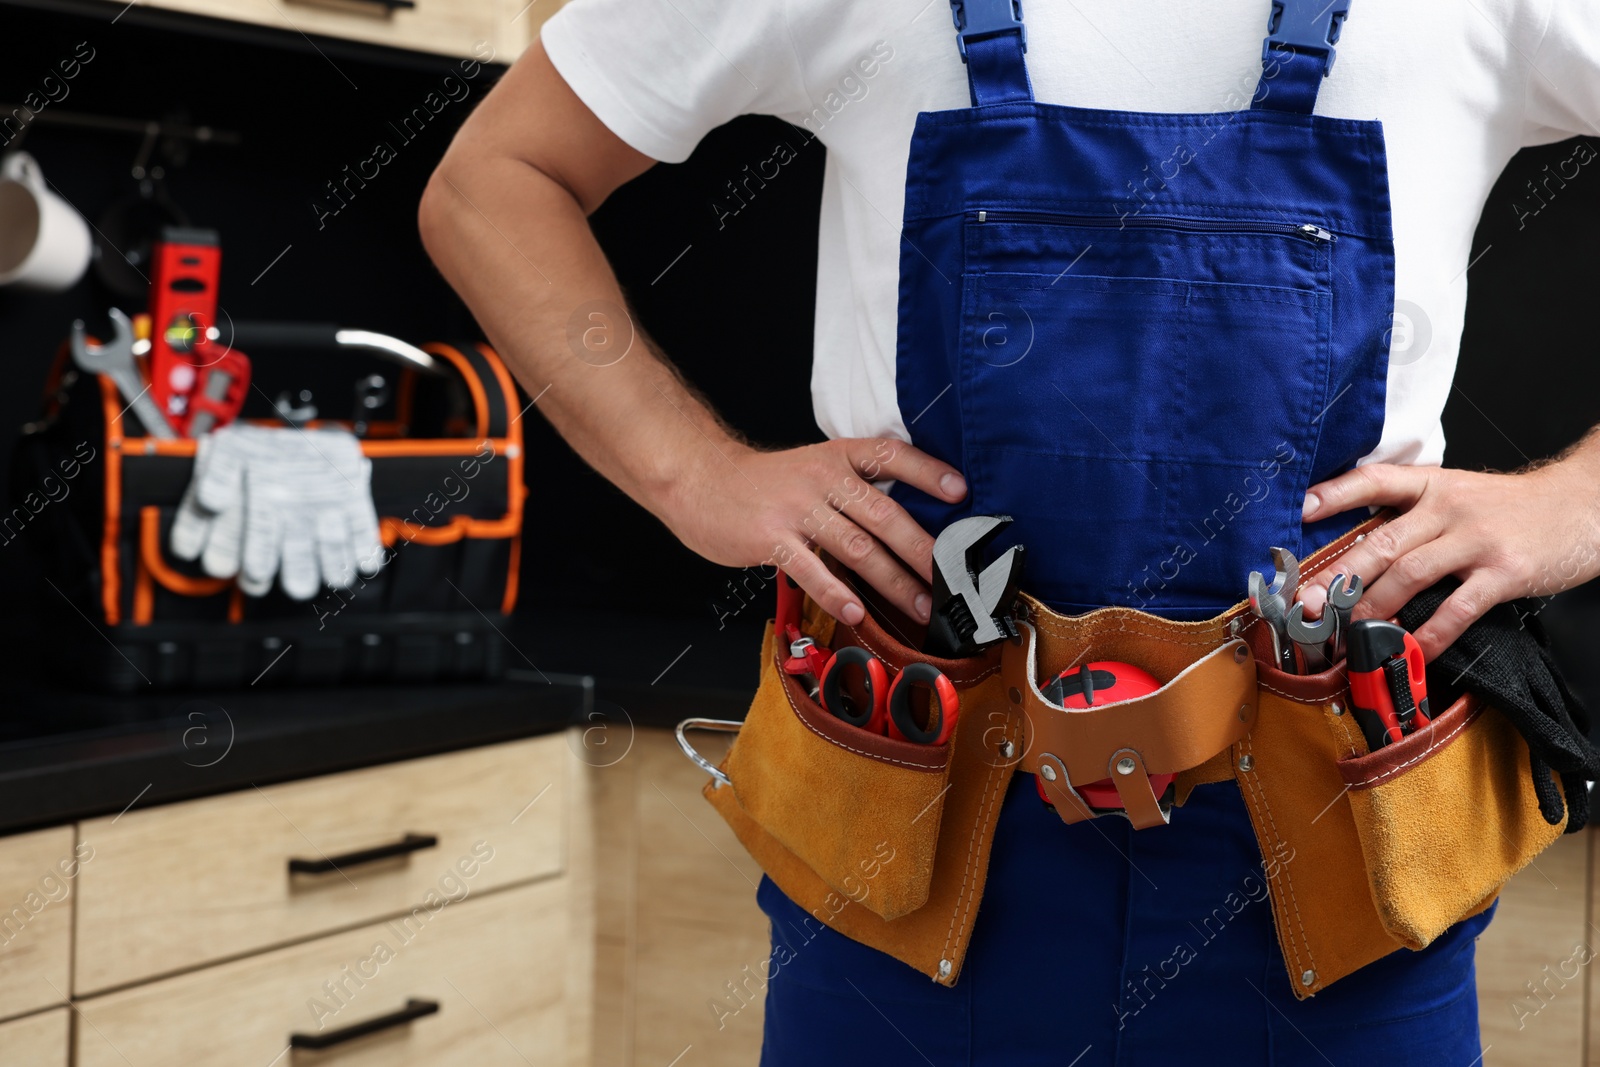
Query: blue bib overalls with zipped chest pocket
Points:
[1143, 337]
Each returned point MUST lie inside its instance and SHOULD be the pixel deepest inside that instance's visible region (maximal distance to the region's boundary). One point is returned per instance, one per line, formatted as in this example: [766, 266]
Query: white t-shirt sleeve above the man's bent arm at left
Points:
[662, 74]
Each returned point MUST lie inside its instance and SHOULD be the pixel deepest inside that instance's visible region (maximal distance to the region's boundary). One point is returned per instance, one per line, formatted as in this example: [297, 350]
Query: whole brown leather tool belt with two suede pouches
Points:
[887, 842]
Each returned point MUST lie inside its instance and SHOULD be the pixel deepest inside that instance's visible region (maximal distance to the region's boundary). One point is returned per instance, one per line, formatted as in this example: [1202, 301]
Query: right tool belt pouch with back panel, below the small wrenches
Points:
[1374, 852]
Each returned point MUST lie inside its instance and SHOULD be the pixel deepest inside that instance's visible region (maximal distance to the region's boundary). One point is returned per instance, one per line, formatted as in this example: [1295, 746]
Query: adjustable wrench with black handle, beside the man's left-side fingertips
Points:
[970, 607]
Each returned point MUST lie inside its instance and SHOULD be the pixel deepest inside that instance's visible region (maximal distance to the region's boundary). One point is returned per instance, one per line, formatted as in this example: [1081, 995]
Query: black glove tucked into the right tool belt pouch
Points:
[1506, 660]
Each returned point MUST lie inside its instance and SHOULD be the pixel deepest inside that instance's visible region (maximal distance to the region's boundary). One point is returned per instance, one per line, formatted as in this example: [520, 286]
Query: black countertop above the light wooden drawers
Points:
[68, 754]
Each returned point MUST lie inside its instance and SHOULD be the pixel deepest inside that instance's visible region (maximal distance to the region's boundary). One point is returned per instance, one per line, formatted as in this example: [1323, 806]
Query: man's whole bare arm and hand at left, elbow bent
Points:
[506, 222]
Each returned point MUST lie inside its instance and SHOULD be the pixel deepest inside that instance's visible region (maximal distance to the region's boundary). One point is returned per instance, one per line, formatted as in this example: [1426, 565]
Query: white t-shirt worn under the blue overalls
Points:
[1460, 86]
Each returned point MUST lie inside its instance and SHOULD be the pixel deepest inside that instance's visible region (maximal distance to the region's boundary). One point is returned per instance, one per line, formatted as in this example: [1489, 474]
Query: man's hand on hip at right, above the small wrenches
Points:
[1503, 535]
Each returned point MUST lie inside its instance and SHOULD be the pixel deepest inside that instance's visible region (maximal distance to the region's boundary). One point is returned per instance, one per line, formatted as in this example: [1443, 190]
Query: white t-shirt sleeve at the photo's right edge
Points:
[1564, 86]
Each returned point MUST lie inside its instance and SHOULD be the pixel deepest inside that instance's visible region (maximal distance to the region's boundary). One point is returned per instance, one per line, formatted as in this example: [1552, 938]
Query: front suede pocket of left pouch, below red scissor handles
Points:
[862, 810]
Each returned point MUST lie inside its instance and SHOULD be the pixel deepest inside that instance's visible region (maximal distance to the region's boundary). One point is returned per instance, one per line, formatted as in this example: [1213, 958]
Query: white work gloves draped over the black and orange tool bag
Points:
[281, 503]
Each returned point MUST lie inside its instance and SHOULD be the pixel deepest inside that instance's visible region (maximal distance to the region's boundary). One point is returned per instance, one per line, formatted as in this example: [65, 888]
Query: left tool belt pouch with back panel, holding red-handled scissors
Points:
[884, 842]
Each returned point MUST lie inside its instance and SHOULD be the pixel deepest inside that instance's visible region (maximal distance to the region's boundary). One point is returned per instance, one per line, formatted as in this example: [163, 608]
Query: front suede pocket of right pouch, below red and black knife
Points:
[1446, 817]
